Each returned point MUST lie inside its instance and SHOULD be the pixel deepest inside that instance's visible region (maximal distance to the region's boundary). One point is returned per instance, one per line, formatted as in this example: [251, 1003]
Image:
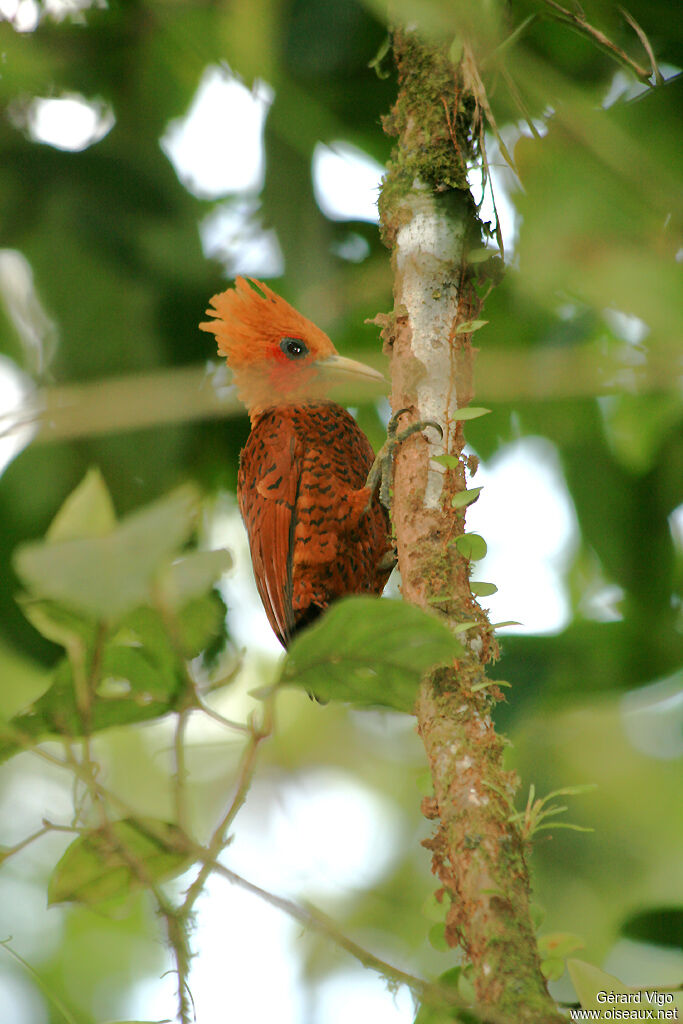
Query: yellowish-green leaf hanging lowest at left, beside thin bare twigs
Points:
[106, 864]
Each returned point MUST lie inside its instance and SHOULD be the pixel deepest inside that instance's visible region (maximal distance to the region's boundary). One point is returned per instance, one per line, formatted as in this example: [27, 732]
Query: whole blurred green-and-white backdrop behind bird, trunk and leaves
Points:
[149, 153]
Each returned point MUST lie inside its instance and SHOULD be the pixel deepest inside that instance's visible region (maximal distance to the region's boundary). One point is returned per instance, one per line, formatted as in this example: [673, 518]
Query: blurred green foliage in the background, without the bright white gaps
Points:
[111, 237]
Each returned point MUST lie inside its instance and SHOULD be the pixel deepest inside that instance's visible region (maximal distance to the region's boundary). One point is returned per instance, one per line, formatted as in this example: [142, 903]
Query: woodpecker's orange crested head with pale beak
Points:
[278, 357]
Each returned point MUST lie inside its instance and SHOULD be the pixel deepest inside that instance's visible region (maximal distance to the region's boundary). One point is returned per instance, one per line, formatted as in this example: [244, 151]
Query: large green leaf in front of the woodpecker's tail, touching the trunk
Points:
[370, 653]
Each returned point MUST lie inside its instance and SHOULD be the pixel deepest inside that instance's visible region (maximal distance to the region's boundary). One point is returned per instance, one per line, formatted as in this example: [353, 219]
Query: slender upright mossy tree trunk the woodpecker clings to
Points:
[430, 221]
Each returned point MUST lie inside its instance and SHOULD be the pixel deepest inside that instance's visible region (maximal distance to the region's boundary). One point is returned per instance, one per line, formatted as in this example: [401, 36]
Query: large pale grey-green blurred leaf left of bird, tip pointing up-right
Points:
[106, 576]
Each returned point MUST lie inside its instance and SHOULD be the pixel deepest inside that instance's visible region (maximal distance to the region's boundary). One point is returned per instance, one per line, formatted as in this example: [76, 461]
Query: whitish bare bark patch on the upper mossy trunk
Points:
[429, 247]
